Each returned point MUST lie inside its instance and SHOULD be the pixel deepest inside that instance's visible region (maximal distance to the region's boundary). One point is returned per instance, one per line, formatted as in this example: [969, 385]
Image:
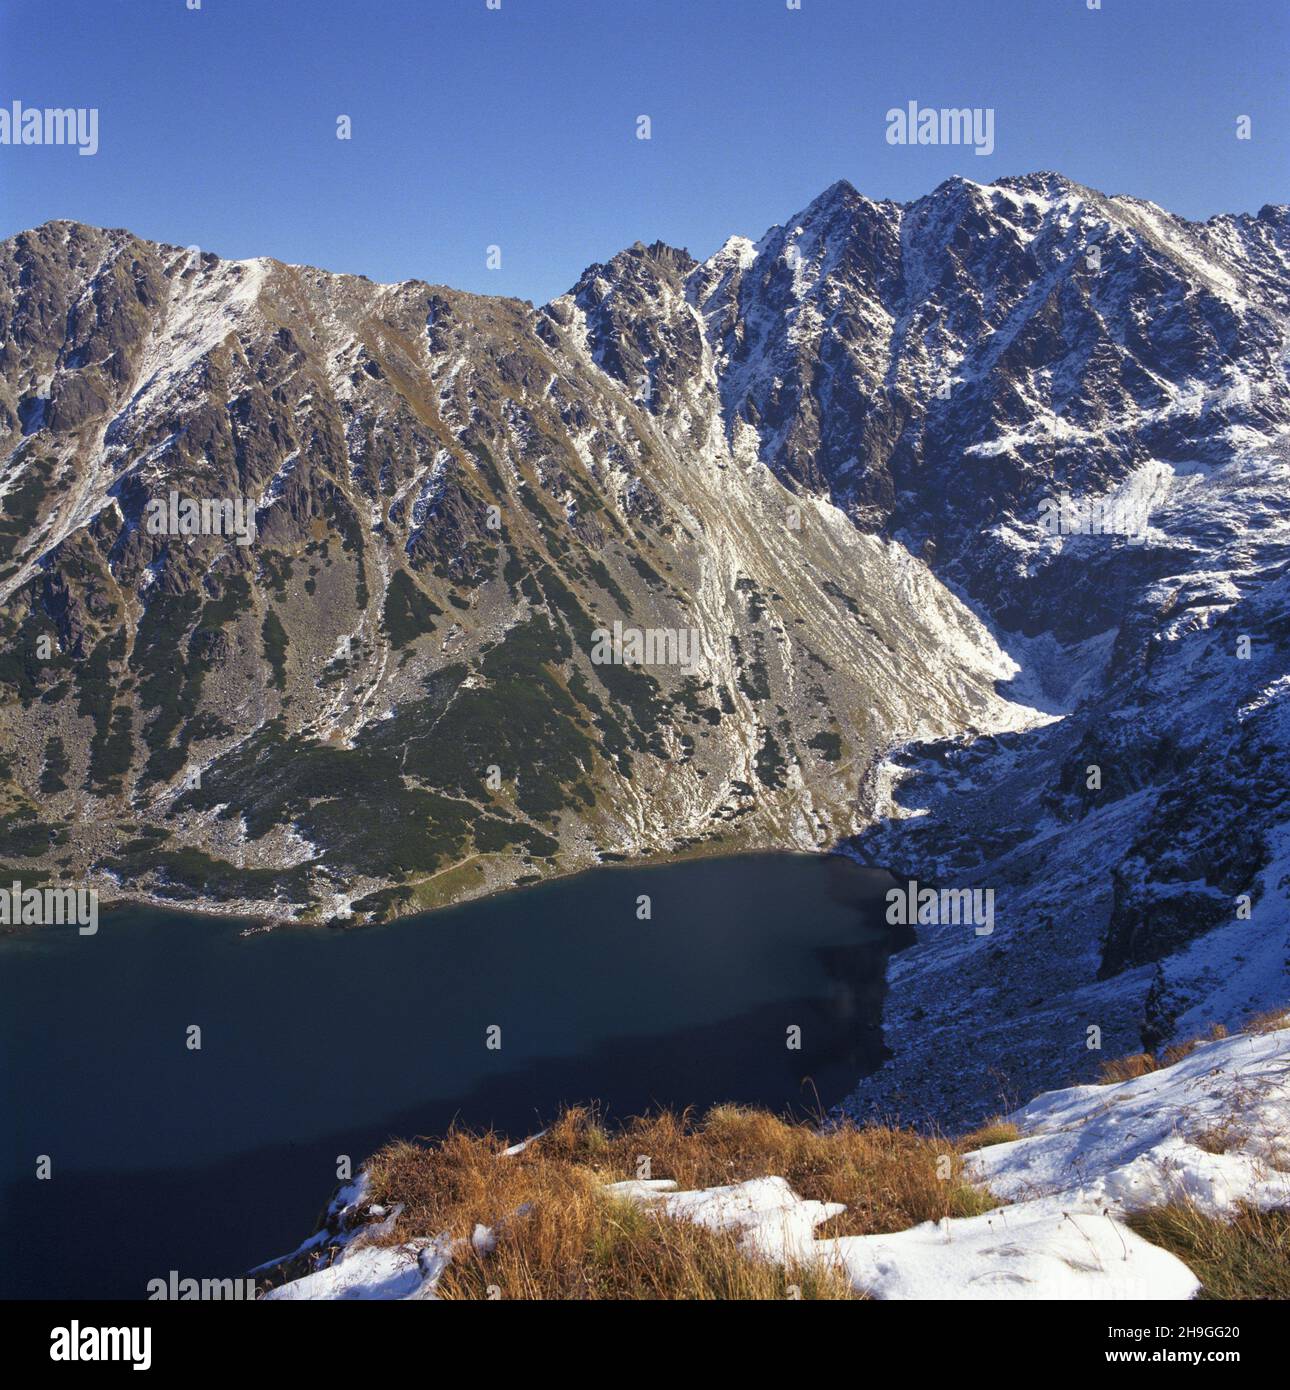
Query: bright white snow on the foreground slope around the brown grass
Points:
[1214, 1129]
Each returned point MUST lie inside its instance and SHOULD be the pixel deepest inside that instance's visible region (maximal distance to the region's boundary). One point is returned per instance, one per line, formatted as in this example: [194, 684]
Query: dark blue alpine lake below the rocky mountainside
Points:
[319, 1043]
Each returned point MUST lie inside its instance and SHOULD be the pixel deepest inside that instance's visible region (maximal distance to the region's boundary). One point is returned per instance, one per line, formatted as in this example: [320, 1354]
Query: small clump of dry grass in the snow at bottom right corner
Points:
[1248, 1257]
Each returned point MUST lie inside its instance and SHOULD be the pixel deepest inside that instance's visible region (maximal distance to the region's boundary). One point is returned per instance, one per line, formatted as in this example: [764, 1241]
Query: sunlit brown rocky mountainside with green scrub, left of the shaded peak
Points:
[389, 698]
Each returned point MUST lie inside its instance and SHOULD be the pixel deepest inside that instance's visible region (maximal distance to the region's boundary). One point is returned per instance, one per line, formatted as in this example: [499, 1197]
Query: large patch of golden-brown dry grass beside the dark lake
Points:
[561, 1236]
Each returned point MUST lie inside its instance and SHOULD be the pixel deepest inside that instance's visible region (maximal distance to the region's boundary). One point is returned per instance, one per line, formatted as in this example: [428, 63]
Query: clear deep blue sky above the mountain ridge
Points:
[518, 127]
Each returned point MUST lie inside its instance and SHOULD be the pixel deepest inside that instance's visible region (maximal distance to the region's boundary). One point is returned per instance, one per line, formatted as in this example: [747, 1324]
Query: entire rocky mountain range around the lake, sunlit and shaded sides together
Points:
[829, 455]
